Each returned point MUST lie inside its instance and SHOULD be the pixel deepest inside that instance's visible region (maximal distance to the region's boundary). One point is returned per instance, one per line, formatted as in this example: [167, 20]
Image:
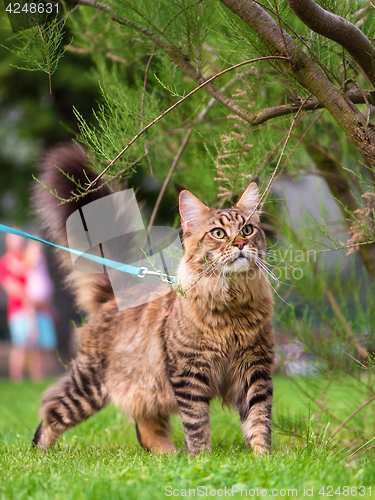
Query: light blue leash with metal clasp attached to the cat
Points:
[141, 272]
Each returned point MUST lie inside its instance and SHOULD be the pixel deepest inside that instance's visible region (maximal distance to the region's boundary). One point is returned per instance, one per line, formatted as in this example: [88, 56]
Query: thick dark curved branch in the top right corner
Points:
[339, 30]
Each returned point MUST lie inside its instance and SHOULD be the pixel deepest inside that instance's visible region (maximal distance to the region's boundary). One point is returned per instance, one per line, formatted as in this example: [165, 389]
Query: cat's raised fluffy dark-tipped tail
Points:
[90, 290]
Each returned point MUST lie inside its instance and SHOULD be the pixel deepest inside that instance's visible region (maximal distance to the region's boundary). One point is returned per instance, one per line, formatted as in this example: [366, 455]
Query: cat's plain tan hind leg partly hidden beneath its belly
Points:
[153, 432]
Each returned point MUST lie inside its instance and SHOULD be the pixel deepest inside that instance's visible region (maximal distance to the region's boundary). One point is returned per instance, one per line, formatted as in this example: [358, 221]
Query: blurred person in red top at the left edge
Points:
[13, 274]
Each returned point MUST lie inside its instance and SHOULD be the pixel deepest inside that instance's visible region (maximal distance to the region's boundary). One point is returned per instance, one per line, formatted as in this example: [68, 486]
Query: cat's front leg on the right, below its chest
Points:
[253, 391]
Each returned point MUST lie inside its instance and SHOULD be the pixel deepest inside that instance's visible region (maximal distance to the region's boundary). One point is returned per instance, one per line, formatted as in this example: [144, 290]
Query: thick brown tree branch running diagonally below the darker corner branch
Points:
[308, 74]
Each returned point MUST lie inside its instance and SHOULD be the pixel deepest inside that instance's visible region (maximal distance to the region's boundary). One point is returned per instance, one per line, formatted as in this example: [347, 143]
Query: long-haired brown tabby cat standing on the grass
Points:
[172, 354]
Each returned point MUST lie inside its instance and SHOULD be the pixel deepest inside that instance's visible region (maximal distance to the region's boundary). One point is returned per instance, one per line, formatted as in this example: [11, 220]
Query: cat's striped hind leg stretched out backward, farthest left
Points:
[78, 395]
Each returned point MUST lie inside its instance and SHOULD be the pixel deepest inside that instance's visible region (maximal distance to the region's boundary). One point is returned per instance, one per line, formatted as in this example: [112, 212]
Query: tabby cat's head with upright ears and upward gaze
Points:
[214, 238]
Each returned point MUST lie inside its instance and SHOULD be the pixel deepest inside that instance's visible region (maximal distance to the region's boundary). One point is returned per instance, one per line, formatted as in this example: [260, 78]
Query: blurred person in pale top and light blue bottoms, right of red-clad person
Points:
[39, 291]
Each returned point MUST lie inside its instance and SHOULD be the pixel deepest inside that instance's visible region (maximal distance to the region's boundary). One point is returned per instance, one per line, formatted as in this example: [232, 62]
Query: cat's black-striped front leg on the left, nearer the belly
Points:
[191, 390]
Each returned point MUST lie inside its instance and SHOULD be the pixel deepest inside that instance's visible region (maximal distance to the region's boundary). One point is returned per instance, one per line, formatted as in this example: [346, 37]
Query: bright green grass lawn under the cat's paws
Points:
[101, 459]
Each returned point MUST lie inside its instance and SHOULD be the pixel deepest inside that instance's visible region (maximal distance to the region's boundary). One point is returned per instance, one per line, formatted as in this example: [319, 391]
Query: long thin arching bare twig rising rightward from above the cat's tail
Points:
[249, 61]
